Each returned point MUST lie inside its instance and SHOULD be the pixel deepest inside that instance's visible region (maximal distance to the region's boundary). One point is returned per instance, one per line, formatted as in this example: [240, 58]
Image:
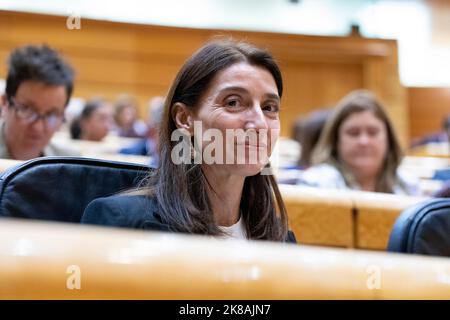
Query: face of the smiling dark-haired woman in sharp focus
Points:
[242, 104]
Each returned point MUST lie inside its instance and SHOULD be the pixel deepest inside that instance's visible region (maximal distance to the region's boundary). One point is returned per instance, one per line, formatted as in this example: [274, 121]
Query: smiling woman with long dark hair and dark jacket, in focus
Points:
[224, 85]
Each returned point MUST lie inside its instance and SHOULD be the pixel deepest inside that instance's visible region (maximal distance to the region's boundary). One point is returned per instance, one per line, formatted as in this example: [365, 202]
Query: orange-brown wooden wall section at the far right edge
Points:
[427, 108]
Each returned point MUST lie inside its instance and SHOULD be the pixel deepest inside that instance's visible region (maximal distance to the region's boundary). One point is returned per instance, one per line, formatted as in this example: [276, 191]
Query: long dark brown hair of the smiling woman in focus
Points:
[181, 189]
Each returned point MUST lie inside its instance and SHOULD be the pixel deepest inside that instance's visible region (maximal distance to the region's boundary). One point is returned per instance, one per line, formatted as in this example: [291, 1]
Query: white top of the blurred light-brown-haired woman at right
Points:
[327, 176]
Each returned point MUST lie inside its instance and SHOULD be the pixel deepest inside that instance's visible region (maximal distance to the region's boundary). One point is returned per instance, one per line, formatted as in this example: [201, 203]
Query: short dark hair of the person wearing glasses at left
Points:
[38, 63]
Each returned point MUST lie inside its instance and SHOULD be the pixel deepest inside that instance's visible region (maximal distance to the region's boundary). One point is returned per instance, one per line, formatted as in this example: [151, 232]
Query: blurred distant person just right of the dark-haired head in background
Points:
[125, 116]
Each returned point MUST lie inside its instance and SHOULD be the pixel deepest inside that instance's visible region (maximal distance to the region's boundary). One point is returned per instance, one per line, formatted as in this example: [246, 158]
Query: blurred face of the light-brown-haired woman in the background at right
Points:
[362, 143]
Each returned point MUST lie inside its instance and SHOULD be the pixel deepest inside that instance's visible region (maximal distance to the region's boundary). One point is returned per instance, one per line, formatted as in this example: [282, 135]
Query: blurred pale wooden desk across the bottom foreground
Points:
[119, 264]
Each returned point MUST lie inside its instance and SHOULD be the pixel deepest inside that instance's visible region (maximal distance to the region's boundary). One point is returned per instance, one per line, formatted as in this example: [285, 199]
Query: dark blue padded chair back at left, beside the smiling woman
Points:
[59, 188]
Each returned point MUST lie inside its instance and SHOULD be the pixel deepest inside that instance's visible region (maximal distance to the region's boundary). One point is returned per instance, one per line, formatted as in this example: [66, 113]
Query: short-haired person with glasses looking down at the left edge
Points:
[38, 88]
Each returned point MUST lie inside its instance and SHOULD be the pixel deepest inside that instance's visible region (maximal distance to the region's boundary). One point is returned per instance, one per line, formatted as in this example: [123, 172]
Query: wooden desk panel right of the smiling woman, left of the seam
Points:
[319, 218]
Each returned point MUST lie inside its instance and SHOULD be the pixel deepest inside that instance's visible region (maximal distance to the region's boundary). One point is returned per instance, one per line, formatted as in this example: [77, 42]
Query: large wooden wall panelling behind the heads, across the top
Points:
[112, 58]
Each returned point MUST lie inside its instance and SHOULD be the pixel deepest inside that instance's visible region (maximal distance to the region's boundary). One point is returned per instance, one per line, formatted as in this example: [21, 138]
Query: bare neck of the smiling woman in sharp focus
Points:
[224, 192]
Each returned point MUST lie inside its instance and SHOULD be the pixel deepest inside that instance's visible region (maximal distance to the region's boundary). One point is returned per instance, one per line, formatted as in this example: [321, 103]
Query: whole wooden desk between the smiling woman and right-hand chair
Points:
[353, 219]
